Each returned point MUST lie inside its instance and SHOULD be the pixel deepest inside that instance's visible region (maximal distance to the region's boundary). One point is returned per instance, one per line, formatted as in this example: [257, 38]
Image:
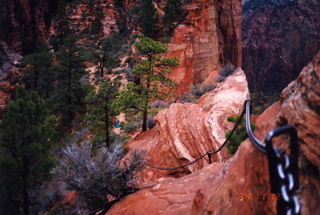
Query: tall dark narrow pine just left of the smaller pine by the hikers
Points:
[69, 91]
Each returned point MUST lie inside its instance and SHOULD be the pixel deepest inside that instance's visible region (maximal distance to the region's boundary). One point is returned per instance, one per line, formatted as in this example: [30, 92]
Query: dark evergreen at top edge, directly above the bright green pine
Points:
[148, 19]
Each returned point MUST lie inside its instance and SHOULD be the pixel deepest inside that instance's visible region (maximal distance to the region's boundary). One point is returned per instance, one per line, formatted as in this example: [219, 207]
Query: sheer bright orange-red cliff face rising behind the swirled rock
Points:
[209, 38]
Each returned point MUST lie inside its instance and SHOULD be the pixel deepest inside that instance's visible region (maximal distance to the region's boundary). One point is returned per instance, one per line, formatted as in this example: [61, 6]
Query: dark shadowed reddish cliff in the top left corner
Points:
[23, 21]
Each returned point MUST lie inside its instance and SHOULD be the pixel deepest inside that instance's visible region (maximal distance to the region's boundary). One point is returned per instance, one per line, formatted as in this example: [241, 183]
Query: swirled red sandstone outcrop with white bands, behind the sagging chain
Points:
[185, 132]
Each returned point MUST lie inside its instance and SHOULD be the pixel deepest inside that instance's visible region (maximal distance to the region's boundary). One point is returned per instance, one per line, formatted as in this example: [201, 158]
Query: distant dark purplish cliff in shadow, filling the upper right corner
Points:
[278, 40]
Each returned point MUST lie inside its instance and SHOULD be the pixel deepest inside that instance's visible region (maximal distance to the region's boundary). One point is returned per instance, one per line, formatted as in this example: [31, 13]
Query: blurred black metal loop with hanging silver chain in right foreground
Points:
[283, 171]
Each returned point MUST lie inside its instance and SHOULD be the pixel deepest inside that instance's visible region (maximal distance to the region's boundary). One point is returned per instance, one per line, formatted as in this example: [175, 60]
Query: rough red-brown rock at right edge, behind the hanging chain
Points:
[300, 107]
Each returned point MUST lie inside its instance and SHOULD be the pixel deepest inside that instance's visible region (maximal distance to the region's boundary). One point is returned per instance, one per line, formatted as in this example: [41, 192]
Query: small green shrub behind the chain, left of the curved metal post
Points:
[238, 136]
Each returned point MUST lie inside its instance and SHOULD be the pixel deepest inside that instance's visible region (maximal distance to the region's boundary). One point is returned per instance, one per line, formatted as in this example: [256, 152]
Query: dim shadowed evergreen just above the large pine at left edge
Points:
[39, 77]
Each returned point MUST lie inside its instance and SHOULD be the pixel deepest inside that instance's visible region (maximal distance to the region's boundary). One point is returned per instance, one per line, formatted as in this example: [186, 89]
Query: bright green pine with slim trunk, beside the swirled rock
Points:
[153, 82]
